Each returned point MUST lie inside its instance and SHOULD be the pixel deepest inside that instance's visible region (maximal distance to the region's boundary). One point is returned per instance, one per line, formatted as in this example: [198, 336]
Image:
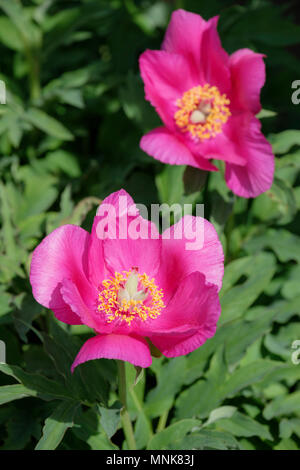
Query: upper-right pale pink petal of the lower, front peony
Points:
[179, 260]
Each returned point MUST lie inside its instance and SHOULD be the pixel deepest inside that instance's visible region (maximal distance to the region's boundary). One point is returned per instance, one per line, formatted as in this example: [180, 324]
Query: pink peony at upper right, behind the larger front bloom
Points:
[207, 101]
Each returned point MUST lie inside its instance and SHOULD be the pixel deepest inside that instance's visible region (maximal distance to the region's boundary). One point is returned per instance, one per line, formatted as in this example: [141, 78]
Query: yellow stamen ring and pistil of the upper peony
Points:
[202, 112]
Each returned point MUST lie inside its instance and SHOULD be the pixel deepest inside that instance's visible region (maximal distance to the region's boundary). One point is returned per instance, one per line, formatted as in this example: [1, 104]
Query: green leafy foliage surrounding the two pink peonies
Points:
[69, 136]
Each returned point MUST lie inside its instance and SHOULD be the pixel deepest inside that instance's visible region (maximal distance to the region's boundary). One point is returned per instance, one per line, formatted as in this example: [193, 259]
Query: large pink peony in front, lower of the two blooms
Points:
[131, 291]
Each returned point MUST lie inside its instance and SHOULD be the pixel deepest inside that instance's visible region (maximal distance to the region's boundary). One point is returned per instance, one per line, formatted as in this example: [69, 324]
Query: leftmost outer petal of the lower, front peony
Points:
[61, 255]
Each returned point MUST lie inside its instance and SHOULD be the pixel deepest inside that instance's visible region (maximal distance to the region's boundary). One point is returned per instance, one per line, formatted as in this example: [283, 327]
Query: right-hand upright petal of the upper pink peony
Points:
[248, 77]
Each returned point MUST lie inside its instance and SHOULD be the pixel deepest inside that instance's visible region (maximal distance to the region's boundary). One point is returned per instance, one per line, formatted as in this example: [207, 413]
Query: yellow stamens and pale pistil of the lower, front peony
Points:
[128, 296]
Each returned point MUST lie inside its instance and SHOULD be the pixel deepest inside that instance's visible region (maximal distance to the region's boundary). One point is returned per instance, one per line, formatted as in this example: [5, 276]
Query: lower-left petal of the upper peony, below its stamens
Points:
[166, 147]
